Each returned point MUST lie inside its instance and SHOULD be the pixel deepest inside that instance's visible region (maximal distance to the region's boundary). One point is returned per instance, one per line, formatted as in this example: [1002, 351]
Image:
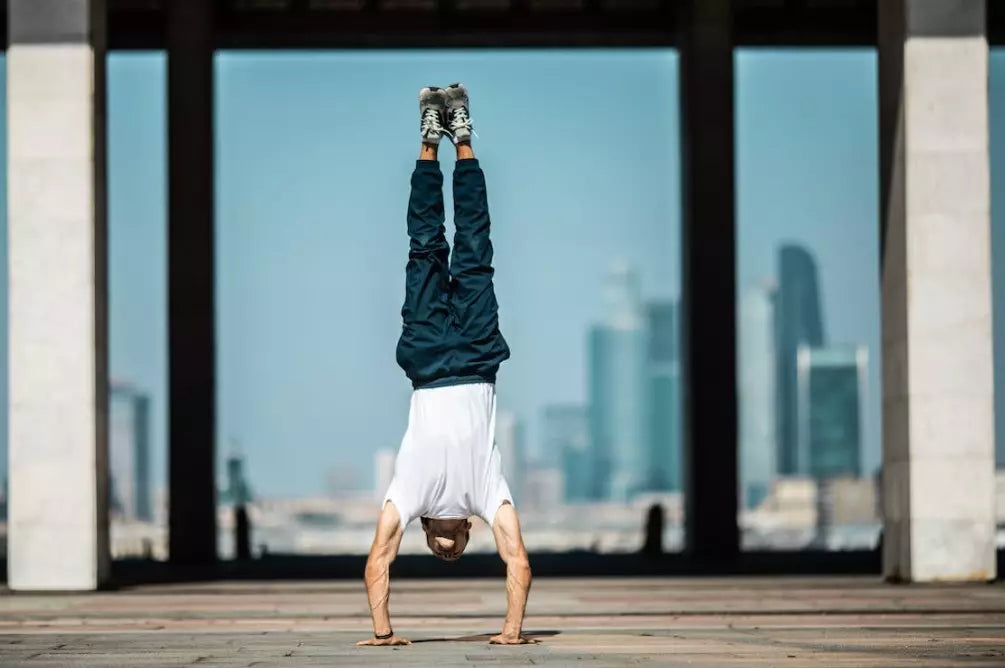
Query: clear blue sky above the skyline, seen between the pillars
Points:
[581, 154]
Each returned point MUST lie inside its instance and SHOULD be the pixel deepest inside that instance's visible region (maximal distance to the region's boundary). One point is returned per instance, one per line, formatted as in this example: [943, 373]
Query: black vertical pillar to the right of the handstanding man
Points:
[709, 323]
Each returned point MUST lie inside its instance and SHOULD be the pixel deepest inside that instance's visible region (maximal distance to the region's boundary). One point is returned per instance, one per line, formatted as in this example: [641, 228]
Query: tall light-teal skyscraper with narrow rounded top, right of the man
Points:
[620, 391]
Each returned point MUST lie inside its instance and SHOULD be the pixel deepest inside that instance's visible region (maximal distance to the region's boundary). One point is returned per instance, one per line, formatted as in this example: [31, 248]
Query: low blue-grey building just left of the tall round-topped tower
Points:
[567, 432]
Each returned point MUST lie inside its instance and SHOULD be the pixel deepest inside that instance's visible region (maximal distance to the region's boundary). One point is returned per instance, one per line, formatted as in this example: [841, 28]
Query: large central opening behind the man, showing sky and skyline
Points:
[315, 153]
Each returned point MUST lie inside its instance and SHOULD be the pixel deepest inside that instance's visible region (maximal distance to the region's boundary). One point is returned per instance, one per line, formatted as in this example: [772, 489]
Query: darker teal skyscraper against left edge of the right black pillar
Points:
[665, 397]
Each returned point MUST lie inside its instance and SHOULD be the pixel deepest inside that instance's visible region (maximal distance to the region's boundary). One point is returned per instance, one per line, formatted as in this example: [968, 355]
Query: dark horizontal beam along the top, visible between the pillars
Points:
[141, 26]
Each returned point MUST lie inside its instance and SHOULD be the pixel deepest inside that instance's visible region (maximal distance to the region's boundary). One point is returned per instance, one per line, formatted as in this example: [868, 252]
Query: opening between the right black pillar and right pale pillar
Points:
[809, 307]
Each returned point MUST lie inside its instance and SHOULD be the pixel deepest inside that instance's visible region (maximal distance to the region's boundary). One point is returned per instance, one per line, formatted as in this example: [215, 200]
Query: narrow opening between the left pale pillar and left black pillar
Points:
[137, 183]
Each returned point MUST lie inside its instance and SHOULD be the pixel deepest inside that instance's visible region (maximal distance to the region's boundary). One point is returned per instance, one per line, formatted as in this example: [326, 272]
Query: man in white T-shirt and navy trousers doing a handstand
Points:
[449, 468]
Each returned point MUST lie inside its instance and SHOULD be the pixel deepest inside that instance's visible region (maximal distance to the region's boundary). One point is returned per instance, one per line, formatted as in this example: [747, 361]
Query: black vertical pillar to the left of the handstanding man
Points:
[191, 296]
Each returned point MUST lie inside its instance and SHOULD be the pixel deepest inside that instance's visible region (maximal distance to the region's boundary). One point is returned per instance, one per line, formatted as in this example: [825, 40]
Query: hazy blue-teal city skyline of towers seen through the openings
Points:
[646, 347]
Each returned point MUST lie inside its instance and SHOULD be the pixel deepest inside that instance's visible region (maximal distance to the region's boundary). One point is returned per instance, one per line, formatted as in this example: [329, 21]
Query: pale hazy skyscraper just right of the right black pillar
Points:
[757, 372]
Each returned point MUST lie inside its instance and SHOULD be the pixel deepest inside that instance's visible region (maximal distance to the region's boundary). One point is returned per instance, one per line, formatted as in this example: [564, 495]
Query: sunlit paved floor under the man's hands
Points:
[594, 622]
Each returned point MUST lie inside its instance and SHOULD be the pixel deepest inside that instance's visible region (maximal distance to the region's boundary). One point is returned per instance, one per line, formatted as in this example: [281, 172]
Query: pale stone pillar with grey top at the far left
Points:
[59, 335]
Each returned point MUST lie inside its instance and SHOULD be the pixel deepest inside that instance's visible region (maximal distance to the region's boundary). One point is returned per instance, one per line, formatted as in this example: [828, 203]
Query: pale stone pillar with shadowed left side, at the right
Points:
[937, 348]
